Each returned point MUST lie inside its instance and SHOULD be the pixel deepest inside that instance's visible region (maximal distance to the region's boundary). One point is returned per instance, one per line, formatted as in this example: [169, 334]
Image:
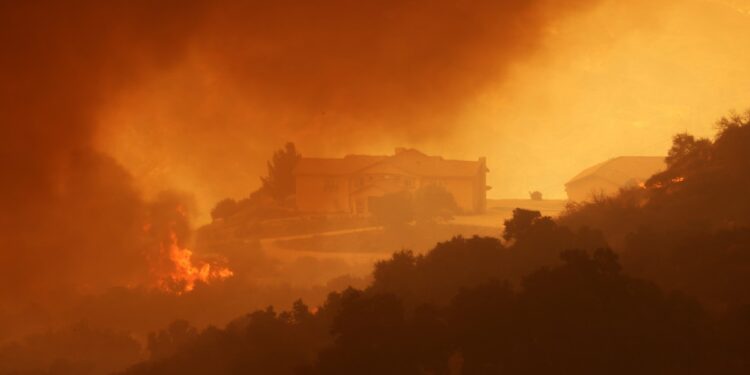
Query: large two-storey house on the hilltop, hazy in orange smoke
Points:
[345, 185]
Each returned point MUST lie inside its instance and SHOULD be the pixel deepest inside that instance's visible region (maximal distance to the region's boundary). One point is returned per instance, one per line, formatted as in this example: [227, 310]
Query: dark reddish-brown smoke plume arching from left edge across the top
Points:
[72, 218]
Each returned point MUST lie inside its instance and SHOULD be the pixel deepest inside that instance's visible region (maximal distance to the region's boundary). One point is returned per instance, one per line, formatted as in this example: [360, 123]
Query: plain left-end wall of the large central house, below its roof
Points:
[322, 194]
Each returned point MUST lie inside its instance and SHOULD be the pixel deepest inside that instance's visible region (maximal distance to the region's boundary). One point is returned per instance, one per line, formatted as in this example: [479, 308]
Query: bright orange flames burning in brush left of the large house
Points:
[185, 273]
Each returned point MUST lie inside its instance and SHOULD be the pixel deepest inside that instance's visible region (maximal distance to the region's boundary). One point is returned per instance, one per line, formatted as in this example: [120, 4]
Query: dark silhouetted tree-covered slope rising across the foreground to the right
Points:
[550, 298]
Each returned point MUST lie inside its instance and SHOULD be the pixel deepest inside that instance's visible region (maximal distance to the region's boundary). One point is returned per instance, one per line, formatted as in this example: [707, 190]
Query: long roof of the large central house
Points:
[408, 160]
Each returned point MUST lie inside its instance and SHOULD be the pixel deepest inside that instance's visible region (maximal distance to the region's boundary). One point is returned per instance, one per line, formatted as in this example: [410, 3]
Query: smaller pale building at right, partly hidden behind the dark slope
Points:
[609, 177]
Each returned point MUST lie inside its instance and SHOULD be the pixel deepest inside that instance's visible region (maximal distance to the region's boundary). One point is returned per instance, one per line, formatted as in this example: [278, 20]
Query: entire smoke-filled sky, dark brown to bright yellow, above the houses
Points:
[104, 104]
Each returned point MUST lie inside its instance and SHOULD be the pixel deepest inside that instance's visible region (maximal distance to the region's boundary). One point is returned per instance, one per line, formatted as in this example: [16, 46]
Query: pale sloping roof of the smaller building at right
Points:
[621, 170]
